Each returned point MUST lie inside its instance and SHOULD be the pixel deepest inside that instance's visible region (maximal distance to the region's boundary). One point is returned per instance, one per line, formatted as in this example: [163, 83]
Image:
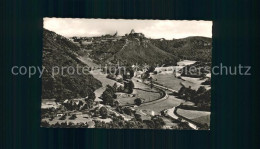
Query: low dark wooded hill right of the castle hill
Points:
[191, 48]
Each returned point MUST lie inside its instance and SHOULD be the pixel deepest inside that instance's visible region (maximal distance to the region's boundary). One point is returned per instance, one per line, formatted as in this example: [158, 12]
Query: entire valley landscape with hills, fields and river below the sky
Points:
[154, 95]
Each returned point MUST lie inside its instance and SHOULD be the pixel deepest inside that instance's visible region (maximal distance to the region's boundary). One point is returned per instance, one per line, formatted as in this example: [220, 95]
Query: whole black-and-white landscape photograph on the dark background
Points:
[126, 74]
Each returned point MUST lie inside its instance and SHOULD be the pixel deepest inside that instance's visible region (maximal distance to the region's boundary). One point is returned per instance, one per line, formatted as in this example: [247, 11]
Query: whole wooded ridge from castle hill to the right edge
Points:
[136, 48]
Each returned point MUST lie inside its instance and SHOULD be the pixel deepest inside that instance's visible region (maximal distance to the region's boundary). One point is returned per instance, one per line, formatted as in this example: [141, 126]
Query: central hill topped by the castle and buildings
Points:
[129, 49]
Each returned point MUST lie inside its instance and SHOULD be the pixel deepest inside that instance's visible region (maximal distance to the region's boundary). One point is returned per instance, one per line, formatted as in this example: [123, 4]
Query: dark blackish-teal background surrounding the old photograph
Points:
[235, 100]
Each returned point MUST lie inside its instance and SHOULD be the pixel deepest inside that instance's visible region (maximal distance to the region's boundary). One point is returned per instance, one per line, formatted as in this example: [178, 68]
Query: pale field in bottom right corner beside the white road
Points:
[192, 114]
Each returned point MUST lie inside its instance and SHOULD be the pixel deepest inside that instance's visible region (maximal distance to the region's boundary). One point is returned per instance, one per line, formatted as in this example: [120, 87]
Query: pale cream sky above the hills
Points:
[155, 29]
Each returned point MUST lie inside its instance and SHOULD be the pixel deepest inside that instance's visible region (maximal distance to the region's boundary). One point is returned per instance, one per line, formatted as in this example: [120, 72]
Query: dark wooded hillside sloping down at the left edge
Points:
[59, 51]
